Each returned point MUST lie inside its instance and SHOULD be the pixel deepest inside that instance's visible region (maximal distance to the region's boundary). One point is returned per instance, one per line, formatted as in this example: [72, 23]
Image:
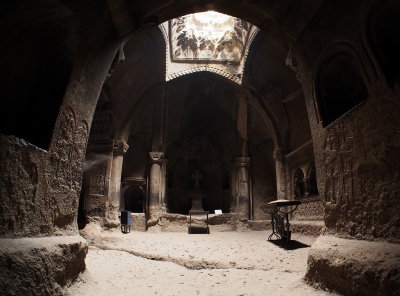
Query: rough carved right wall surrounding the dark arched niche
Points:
[357, 156]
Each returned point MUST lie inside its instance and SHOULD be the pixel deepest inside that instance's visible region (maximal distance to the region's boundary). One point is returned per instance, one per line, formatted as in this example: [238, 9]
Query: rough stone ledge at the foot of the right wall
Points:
[355, 267]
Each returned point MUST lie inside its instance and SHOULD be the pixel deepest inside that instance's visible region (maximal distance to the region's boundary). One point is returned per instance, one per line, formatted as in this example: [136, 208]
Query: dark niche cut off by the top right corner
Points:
[384, 32]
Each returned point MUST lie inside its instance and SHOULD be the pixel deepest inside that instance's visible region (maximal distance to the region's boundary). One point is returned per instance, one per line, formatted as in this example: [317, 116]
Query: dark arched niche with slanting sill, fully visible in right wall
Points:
[339, 86]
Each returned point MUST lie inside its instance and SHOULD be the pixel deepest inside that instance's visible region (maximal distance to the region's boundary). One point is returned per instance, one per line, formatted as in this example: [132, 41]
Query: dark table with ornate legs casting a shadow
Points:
[279, 211]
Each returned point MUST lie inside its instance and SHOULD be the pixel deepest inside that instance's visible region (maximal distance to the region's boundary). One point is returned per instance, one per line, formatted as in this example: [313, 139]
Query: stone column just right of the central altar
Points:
[242, 196]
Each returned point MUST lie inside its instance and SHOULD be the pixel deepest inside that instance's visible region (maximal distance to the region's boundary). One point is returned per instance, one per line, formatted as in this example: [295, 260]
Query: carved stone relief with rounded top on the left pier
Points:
[68, 151]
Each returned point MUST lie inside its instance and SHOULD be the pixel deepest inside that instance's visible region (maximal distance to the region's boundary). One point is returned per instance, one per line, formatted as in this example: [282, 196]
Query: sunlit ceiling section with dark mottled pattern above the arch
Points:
[207, 41]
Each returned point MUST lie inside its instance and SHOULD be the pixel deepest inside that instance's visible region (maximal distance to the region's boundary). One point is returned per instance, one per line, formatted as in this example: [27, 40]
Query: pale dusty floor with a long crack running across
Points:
[220, 263]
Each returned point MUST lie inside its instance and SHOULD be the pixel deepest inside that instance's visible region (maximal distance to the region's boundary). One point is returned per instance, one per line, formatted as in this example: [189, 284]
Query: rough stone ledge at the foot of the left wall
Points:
[40, 266]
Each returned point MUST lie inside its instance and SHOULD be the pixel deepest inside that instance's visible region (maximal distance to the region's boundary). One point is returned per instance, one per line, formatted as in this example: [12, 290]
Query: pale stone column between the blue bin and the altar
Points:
[155, 186]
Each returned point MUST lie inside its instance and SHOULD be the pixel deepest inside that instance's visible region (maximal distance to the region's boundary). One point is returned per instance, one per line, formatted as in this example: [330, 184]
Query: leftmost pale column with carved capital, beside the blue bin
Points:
[114, 199]
